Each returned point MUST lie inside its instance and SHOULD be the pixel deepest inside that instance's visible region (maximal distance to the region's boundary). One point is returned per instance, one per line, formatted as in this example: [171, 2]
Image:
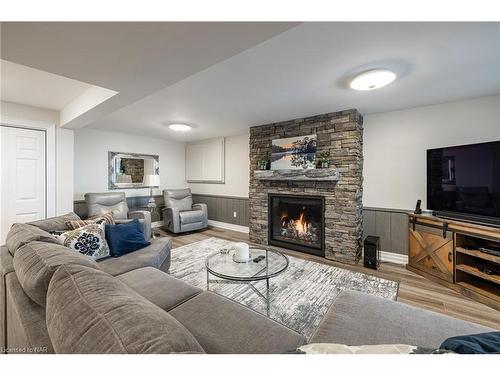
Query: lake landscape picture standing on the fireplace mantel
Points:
[294, 152]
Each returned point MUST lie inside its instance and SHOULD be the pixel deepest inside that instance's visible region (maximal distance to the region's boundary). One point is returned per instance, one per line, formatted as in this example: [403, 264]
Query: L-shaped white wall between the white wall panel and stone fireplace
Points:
[236, 170]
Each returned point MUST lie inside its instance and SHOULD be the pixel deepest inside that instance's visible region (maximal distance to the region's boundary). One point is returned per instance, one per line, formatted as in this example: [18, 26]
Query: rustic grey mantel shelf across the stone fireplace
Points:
[320, 174]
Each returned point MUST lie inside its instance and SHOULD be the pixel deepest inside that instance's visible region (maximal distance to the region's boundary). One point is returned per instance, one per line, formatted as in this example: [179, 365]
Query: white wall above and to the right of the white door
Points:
[20, 114]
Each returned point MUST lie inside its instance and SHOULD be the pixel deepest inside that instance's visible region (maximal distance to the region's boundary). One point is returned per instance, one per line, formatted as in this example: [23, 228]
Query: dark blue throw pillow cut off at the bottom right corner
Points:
[482, 343]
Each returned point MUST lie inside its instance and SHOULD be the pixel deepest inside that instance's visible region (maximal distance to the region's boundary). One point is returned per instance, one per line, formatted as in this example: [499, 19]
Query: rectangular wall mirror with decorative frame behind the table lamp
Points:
[127, 171]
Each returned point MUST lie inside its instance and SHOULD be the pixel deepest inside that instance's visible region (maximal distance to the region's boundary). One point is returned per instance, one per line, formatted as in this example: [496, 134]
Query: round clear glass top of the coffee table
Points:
[223, 265]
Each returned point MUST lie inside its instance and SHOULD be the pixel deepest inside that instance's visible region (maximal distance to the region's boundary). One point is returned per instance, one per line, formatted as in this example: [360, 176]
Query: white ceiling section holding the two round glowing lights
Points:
[305, 71]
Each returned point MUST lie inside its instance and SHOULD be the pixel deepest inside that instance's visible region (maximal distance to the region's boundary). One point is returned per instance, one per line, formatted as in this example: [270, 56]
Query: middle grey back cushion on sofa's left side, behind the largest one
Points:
[36, 262]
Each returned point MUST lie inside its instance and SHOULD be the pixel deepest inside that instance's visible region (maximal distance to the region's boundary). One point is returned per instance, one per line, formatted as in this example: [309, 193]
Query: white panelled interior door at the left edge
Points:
[23, 175]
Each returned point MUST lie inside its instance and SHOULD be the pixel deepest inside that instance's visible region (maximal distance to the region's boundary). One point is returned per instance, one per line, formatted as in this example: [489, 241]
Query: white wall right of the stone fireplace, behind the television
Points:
[395, 145]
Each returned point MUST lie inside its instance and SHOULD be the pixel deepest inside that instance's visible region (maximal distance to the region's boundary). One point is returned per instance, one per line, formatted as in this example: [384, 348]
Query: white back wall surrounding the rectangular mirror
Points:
[91, 160]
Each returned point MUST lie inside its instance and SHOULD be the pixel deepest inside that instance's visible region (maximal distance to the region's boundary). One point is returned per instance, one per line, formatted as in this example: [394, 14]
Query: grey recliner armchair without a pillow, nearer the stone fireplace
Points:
[180, 214]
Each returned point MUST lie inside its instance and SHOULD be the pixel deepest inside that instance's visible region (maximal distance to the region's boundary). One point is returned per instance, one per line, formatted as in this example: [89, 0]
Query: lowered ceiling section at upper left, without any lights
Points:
[135, 59]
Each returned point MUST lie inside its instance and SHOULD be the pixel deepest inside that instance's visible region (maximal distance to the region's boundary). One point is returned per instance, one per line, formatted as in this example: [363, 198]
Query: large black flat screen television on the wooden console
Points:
[463, 182]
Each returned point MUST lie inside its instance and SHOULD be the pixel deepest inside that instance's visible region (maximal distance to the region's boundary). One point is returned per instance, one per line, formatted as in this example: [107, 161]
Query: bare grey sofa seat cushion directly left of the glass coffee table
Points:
[159, 288]
